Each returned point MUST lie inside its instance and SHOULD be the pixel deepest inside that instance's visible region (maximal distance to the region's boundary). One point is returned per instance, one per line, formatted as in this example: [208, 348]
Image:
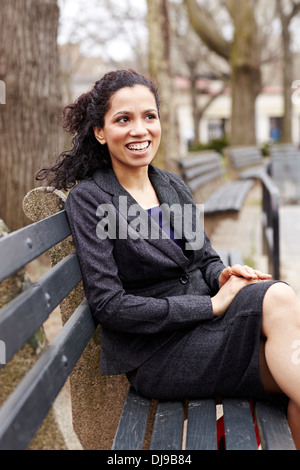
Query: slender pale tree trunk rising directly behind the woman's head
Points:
[160, 70]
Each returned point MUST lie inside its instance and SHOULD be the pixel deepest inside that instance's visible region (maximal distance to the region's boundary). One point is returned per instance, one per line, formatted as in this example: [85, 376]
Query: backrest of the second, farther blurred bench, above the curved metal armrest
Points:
[244, 158]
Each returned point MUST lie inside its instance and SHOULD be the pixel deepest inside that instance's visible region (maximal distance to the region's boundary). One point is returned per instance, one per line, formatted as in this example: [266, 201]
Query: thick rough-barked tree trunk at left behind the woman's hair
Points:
[29, 128]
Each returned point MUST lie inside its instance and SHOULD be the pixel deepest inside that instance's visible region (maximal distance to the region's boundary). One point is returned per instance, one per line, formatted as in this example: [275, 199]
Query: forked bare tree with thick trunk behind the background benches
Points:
[242, 52]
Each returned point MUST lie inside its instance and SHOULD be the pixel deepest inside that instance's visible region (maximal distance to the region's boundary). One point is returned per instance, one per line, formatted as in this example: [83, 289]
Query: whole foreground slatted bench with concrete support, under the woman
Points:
[175, 425]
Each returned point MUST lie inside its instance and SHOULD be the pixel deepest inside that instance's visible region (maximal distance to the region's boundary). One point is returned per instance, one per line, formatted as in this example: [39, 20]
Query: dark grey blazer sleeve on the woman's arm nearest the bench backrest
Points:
[112, 307]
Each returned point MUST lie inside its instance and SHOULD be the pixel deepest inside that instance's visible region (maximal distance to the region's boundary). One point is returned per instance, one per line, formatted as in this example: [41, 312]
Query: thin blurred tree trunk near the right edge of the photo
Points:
[286, 12]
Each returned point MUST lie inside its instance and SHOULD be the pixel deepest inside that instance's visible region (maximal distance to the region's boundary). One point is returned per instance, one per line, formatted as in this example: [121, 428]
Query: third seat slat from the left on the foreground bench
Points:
[201, 429]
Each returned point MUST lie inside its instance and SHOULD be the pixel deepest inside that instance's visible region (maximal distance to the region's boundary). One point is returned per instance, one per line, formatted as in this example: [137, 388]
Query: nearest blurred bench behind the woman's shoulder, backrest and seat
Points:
[204, 173]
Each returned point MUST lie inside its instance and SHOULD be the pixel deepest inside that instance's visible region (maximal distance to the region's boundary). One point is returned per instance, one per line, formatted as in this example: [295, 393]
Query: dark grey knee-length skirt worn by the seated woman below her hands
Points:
[219, 357]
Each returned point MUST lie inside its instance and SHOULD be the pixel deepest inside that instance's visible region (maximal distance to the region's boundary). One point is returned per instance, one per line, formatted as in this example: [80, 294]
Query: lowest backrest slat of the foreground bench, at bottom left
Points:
[25, 409]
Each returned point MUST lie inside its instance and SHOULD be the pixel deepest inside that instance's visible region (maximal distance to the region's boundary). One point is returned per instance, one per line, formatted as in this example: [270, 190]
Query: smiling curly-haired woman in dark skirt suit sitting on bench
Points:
[174, 319]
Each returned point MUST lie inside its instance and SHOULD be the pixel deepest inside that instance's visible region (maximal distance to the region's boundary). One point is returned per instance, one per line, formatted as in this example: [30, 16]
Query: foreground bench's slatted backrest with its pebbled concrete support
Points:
[24, 410]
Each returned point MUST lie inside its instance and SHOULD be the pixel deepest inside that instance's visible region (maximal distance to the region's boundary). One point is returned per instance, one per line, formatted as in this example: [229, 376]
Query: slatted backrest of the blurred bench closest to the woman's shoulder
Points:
[201, 168]
